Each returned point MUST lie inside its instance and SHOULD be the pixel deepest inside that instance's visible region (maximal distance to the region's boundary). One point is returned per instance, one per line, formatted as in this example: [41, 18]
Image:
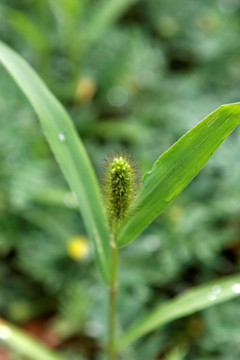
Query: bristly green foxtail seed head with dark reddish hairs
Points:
[120, 185]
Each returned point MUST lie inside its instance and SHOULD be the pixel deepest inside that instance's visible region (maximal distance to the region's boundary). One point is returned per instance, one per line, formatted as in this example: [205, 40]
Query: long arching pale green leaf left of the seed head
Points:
[69, 152]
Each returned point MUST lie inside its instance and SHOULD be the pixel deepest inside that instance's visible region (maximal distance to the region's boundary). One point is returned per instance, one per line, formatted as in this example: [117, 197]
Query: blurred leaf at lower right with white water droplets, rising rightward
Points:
[202, 297]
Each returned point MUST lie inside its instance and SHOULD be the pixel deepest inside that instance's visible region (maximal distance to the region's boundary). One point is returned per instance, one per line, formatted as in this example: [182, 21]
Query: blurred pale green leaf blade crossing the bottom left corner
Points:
[25, 344]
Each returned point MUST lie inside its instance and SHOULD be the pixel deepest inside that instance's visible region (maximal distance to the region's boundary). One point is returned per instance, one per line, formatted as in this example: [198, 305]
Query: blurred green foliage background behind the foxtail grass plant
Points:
[135, 75]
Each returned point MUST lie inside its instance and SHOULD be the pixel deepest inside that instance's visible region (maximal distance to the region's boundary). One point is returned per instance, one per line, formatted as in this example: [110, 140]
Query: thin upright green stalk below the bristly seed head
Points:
[111, 352]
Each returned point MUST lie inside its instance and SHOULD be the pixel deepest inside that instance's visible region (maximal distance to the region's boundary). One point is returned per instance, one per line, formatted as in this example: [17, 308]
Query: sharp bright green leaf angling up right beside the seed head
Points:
[176, 168]
